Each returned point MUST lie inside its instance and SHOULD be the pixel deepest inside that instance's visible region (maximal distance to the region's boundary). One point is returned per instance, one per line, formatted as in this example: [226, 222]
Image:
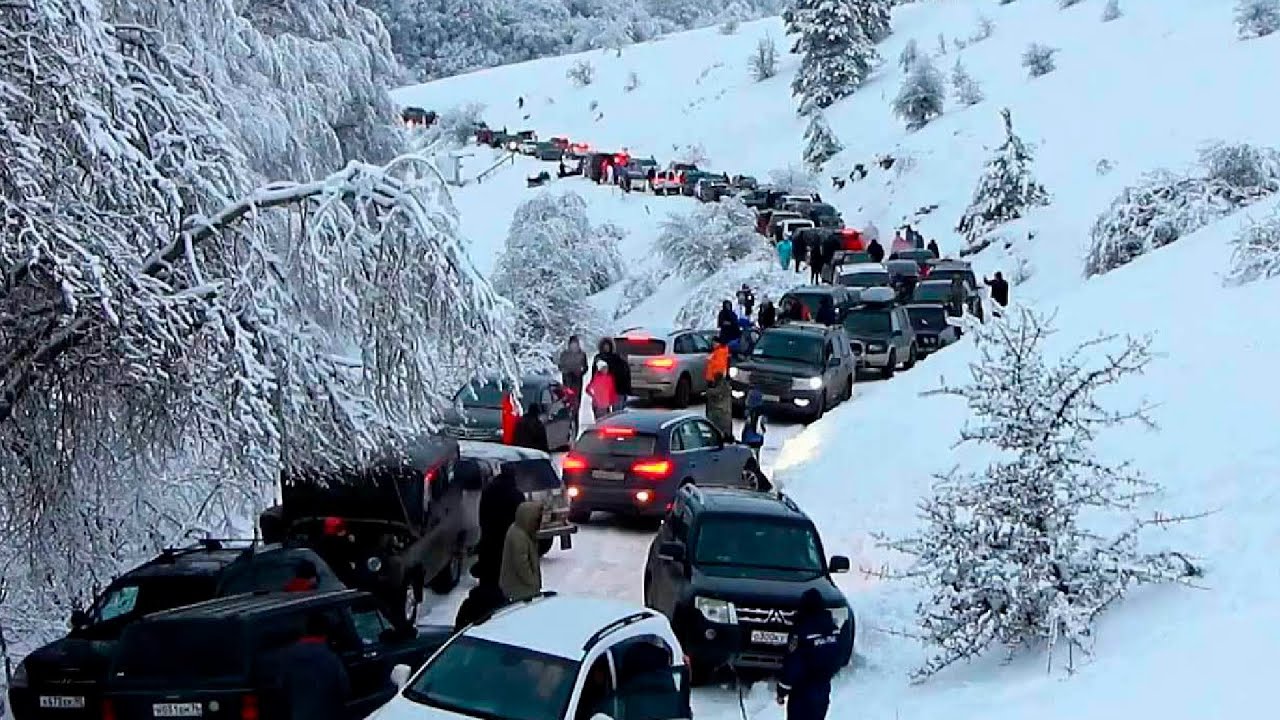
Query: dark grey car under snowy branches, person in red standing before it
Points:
[477, 413]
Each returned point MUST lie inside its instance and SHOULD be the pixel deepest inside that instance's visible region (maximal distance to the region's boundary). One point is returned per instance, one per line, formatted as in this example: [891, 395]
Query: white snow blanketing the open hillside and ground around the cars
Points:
[1144, 92]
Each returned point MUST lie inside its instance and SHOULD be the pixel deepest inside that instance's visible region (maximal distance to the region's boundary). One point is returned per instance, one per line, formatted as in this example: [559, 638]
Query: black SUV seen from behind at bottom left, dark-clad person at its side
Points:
[213, 660]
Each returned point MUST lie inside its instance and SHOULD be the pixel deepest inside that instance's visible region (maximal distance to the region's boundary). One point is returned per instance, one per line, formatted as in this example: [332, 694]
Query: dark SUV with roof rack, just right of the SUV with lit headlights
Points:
[881, 334]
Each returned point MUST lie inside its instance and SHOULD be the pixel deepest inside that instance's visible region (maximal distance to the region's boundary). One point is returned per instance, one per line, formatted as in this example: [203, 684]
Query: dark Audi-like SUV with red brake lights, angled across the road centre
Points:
[636, 462]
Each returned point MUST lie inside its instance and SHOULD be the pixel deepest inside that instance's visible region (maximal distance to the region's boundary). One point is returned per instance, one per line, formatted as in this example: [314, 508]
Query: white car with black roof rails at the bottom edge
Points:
[552, 658]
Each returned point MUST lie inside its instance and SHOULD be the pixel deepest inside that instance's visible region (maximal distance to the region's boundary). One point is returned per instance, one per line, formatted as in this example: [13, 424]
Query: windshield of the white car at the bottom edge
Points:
[464, 677]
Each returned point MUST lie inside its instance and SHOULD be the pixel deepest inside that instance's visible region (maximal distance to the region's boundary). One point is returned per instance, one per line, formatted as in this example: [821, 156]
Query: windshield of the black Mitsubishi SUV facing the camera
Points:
[772, 545]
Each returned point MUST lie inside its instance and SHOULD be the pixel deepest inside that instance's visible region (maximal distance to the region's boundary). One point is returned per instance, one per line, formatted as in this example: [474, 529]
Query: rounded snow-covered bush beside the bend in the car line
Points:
[701, 243]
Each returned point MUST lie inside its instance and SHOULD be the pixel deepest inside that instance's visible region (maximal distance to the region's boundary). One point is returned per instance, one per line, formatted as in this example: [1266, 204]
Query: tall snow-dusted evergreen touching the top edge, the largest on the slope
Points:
[836, 51]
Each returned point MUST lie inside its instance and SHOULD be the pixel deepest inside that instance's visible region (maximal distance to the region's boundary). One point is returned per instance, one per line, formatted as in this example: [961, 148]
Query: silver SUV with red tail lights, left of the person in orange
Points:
[666, 364]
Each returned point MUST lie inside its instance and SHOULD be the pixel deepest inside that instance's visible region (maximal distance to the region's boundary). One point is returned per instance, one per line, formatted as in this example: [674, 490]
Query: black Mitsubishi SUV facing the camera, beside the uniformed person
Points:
[729, 568]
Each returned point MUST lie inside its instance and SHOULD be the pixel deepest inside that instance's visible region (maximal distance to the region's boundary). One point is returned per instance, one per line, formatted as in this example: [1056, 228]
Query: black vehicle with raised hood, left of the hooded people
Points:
[394, 526]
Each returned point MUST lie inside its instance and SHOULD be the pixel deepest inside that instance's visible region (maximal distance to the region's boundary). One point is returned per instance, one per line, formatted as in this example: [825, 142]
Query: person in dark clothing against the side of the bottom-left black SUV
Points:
[309, 677]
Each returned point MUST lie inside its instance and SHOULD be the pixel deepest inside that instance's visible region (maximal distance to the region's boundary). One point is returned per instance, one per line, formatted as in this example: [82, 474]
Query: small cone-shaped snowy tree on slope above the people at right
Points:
[1007, 189]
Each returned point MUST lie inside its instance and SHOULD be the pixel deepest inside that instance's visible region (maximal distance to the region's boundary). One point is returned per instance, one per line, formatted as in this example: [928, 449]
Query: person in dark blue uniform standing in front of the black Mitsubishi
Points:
[812, 662]
